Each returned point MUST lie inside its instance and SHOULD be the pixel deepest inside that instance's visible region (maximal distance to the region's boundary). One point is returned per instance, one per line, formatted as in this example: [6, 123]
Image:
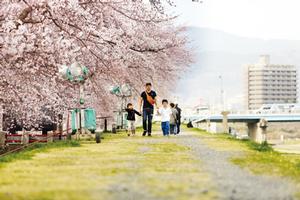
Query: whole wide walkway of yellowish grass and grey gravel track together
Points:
[134, 168]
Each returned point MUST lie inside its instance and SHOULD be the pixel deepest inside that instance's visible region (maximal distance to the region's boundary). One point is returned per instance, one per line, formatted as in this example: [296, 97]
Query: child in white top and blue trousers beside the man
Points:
[165, 112]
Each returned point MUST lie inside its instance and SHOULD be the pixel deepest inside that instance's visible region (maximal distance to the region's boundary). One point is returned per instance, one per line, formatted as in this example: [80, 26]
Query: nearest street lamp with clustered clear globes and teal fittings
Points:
[77, 74]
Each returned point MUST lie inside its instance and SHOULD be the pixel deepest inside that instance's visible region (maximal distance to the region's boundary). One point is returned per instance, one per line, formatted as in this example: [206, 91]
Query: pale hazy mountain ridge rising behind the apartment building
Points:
[218, 53]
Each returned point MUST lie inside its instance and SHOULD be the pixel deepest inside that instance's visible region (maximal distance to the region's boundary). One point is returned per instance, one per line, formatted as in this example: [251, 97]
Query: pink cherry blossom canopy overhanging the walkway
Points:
[120, 41]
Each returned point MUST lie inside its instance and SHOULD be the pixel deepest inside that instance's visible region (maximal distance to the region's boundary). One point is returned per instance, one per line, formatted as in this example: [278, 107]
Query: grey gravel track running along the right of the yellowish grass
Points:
[232, 181]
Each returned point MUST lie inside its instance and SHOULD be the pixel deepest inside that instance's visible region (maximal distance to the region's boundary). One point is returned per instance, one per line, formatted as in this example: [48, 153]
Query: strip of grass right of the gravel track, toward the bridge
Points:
[258, 158]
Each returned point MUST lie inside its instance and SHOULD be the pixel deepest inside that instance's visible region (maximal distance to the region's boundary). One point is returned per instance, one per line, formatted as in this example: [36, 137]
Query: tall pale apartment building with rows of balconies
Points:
[270, 84]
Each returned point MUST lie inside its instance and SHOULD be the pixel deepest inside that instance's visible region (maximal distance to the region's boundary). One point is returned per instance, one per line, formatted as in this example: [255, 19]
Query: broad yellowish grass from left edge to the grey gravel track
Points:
[155, 166]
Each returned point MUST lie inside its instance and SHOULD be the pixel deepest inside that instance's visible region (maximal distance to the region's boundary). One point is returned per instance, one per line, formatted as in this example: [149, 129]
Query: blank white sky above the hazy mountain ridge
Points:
[267, 19]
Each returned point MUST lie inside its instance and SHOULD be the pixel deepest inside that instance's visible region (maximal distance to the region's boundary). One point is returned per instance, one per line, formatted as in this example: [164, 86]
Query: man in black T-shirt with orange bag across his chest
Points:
[147, 99]
